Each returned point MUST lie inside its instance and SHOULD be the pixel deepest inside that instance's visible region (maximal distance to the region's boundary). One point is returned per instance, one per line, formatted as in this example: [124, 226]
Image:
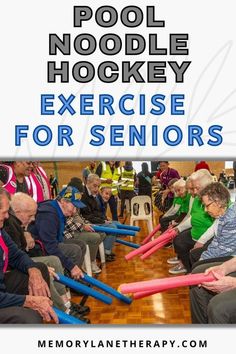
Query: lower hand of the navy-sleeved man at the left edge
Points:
[43, 306]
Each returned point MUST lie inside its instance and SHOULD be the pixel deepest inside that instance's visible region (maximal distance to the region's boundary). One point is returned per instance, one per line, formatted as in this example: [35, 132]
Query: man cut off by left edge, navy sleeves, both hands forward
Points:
[24, 292]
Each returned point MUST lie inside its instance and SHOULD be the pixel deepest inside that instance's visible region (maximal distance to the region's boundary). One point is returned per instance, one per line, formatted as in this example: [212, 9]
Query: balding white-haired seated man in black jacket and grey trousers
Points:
[22, 212]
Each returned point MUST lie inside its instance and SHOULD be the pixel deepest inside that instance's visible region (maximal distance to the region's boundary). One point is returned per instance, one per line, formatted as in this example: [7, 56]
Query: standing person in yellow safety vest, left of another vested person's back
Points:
[110, 173]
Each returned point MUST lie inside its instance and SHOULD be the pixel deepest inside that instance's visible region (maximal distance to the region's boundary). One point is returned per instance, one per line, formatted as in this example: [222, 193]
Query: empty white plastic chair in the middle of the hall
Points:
[141, 209]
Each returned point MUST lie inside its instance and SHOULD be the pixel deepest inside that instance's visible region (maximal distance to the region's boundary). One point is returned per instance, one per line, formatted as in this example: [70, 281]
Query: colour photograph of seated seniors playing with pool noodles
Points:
[117, 242]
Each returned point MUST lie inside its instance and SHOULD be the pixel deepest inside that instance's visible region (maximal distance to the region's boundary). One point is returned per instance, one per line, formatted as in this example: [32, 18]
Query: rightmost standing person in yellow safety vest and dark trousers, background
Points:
[128, 178]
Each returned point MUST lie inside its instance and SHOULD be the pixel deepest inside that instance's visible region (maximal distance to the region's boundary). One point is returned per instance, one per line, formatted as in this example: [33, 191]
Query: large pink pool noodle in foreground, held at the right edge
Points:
[158, 285]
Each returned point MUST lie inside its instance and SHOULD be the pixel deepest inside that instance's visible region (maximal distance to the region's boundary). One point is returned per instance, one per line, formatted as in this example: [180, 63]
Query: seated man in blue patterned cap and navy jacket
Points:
[49, 226]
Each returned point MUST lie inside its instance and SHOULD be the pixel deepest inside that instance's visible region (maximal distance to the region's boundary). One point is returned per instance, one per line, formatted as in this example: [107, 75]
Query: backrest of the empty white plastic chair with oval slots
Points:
[141, 205]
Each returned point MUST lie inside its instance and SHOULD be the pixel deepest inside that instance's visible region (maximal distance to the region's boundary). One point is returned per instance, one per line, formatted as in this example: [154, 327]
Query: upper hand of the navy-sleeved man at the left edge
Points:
[37, 285]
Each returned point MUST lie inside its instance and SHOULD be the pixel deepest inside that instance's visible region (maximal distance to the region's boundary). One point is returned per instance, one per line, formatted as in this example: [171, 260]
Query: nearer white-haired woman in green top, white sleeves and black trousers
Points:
[193, 228]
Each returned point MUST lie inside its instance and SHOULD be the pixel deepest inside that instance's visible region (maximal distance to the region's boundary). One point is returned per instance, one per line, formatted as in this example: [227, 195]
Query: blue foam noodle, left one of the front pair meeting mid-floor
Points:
[73, 284]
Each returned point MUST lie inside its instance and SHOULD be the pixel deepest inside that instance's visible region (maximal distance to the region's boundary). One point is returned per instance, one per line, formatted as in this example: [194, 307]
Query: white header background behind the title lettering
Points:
[209, 85]
